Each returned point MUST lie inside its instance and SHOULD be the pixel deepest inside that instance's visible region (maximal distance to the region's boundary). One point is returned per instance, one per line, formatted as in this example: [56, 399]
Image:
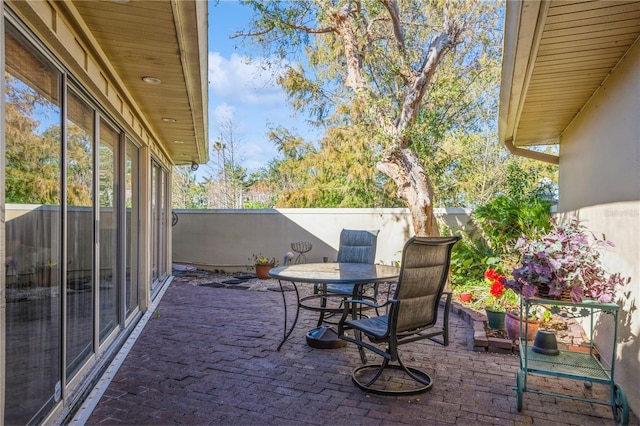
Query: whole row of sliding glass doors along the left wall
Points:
[72, 221]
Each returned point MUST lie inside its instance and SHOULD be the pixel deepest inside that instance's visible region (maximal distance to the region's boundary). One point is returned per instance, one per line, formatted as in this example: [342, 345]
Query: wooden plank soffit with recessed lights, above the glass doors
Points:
[166, 40]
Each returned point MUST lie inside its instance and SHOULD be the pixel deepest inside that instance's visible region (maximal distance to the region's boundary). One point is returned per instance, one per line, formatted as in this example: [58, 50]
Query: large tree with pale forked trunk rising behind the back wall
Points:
[373, 63]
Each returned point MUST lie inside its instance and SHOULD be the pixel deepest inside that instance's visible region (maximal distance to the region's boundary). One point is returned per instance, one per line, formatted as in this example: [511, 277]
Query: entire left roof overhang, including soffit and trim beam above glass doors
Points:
[130, 40]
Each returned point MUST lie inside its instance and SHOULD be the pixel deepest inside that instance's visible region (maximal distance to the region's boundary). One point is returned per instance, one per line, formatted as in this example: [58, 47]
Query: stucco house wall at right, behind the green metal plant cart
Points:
[600, 183]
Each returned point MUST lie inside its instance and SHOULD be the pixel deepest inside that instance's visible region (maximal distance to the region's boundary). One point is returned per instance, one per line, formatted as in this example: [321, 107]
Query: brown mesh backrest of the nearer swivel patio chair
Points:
[423, 275]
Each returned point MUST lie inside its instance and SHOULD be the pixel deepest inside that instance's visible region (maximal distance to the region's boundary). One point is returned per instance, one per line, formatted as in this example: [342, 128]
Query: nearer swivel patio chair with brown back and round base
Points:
[412, 315]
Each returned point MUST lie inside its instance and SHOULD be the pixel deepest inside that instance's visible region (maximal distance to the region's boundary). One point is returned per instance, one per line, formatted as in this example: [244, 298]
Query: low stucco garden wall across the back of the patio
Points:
[225, 239]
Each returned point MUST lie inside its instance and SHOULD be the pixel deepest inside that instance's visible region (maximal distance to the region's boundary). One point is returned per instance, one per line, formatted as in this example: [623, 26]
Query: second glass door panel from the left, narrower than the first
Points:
[80, 244]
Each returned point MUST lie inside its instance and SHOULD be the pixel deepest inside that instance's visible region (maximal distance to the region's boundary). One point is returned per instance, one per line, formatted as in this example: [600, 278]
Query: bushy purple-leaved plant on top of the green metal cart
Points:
[563, 263]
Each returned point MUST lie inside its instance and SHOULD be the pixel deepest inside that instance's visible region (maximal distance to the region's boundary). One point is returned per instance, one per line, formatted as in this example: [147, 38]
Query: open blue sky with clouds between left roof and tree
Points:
[242, 91]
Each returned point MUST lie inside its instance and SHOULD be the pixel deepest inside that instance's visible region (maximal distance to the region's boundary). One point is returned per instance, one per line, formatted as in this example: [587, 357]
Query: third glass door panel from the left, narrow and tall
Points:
[108, 229]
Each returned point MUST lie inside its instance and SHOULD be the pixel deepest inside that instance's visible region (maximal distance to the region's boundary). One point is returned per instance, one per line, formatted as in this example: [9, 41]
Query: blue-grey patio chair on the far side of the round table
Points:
[356, 246]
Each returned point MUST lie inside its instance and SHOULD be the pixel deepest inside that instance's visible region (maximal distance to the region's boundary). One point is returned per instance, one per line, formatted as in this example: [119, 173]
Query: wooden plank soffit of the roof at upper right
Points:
[557, 54]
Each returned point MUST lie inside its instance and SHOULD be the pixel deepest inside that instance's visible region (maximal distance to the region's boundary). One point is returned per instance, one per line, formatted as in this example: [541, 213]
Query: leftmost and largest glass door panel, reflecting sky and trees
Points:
[32, 229]
